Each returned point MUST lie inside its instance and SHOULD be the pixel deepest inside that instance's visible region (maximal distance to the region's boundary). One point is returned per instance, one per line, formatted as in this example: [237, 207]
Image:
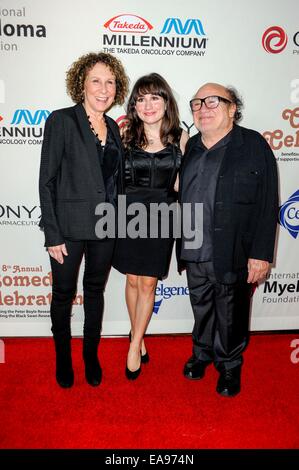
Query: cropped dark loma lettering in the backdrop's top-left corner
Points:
[14, 31]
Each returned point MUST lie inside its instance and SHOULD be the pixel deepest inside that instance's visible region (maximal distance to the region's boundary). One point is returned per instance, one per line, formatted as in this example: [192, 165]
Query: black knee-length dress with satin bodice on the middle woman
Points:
[149, 178]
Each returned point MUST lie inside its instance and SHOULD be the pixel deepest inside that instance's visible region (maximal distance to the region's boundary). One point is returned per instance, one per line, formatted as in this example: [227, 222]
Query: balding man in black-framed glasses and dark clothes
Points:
[231, 170]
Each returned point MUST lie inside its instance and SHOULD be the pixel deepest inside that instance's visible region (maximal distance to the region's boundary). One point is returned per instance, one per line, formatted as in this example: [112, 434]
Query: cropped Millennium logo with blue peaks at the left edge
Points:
[25, 127]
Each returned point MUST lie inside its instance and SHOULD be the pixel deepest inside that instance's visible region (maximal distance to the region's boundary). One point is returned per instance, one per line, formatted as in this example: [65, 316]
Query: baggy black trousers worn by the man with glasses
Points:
[221, 314]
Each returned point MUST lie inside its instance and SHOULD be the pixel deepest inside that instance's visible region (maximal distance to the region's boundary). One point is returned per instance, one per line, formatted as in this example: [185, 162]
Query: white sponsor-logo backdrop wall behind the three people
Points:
[253, 46]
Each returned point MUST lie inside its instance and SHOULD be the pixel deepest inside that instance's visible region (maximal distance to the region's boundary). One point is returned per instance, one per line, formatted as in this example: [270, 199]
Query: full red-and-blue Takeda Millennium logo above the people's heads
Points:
[133, 34]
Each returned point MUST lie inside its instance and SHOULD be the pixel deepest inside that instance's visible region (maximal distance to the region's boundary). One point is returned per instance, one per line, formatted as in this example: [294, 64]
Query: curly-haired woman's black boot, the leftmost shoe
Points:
[64, 367]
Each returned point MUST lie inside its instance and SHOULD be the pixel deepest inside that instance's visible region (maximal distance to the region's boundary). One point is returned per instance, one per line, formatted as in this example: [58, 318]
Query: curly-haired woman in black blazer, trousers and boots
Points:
[80, 167]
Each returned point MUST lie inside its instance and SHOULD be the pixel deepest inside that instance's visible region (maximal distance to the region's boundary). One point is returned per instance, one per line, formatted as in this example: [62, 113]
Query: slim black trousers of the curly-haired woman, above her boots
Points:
[98, 258]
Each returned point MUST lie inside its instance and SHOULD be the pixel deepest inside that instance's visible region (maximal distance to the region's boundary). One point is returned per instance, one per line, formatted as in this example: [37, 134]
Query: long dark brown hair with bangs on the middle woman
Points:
[153, 84]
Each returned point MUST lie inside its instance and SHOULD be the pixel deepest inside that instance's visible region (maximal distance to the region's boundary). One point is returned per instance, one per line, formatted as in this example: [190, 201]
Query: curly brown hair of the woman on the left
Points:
[76, 75]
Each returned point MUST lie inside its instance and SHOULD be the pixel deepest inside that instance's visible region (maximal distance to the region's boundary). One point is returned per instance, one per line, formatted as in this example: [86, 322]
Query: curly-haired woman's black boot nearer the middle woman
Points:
[93, 371]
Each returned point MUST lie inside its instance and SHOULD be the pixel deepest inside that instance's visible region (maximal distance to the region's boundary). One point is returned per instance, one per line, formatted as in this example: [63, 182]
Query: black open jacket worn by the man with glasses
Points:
[245, 216]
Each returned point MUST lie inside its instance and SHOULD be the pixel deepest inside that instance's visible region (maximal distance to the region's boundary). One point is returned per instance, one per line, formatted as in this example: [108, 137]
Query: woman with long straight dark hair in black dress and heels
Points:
[154, 143]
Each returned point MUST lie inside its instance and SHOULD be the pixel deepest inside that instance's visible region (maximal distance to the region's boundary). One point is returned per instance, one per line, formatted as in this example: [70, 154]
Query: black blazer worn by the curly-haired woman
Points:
[71, 181]
